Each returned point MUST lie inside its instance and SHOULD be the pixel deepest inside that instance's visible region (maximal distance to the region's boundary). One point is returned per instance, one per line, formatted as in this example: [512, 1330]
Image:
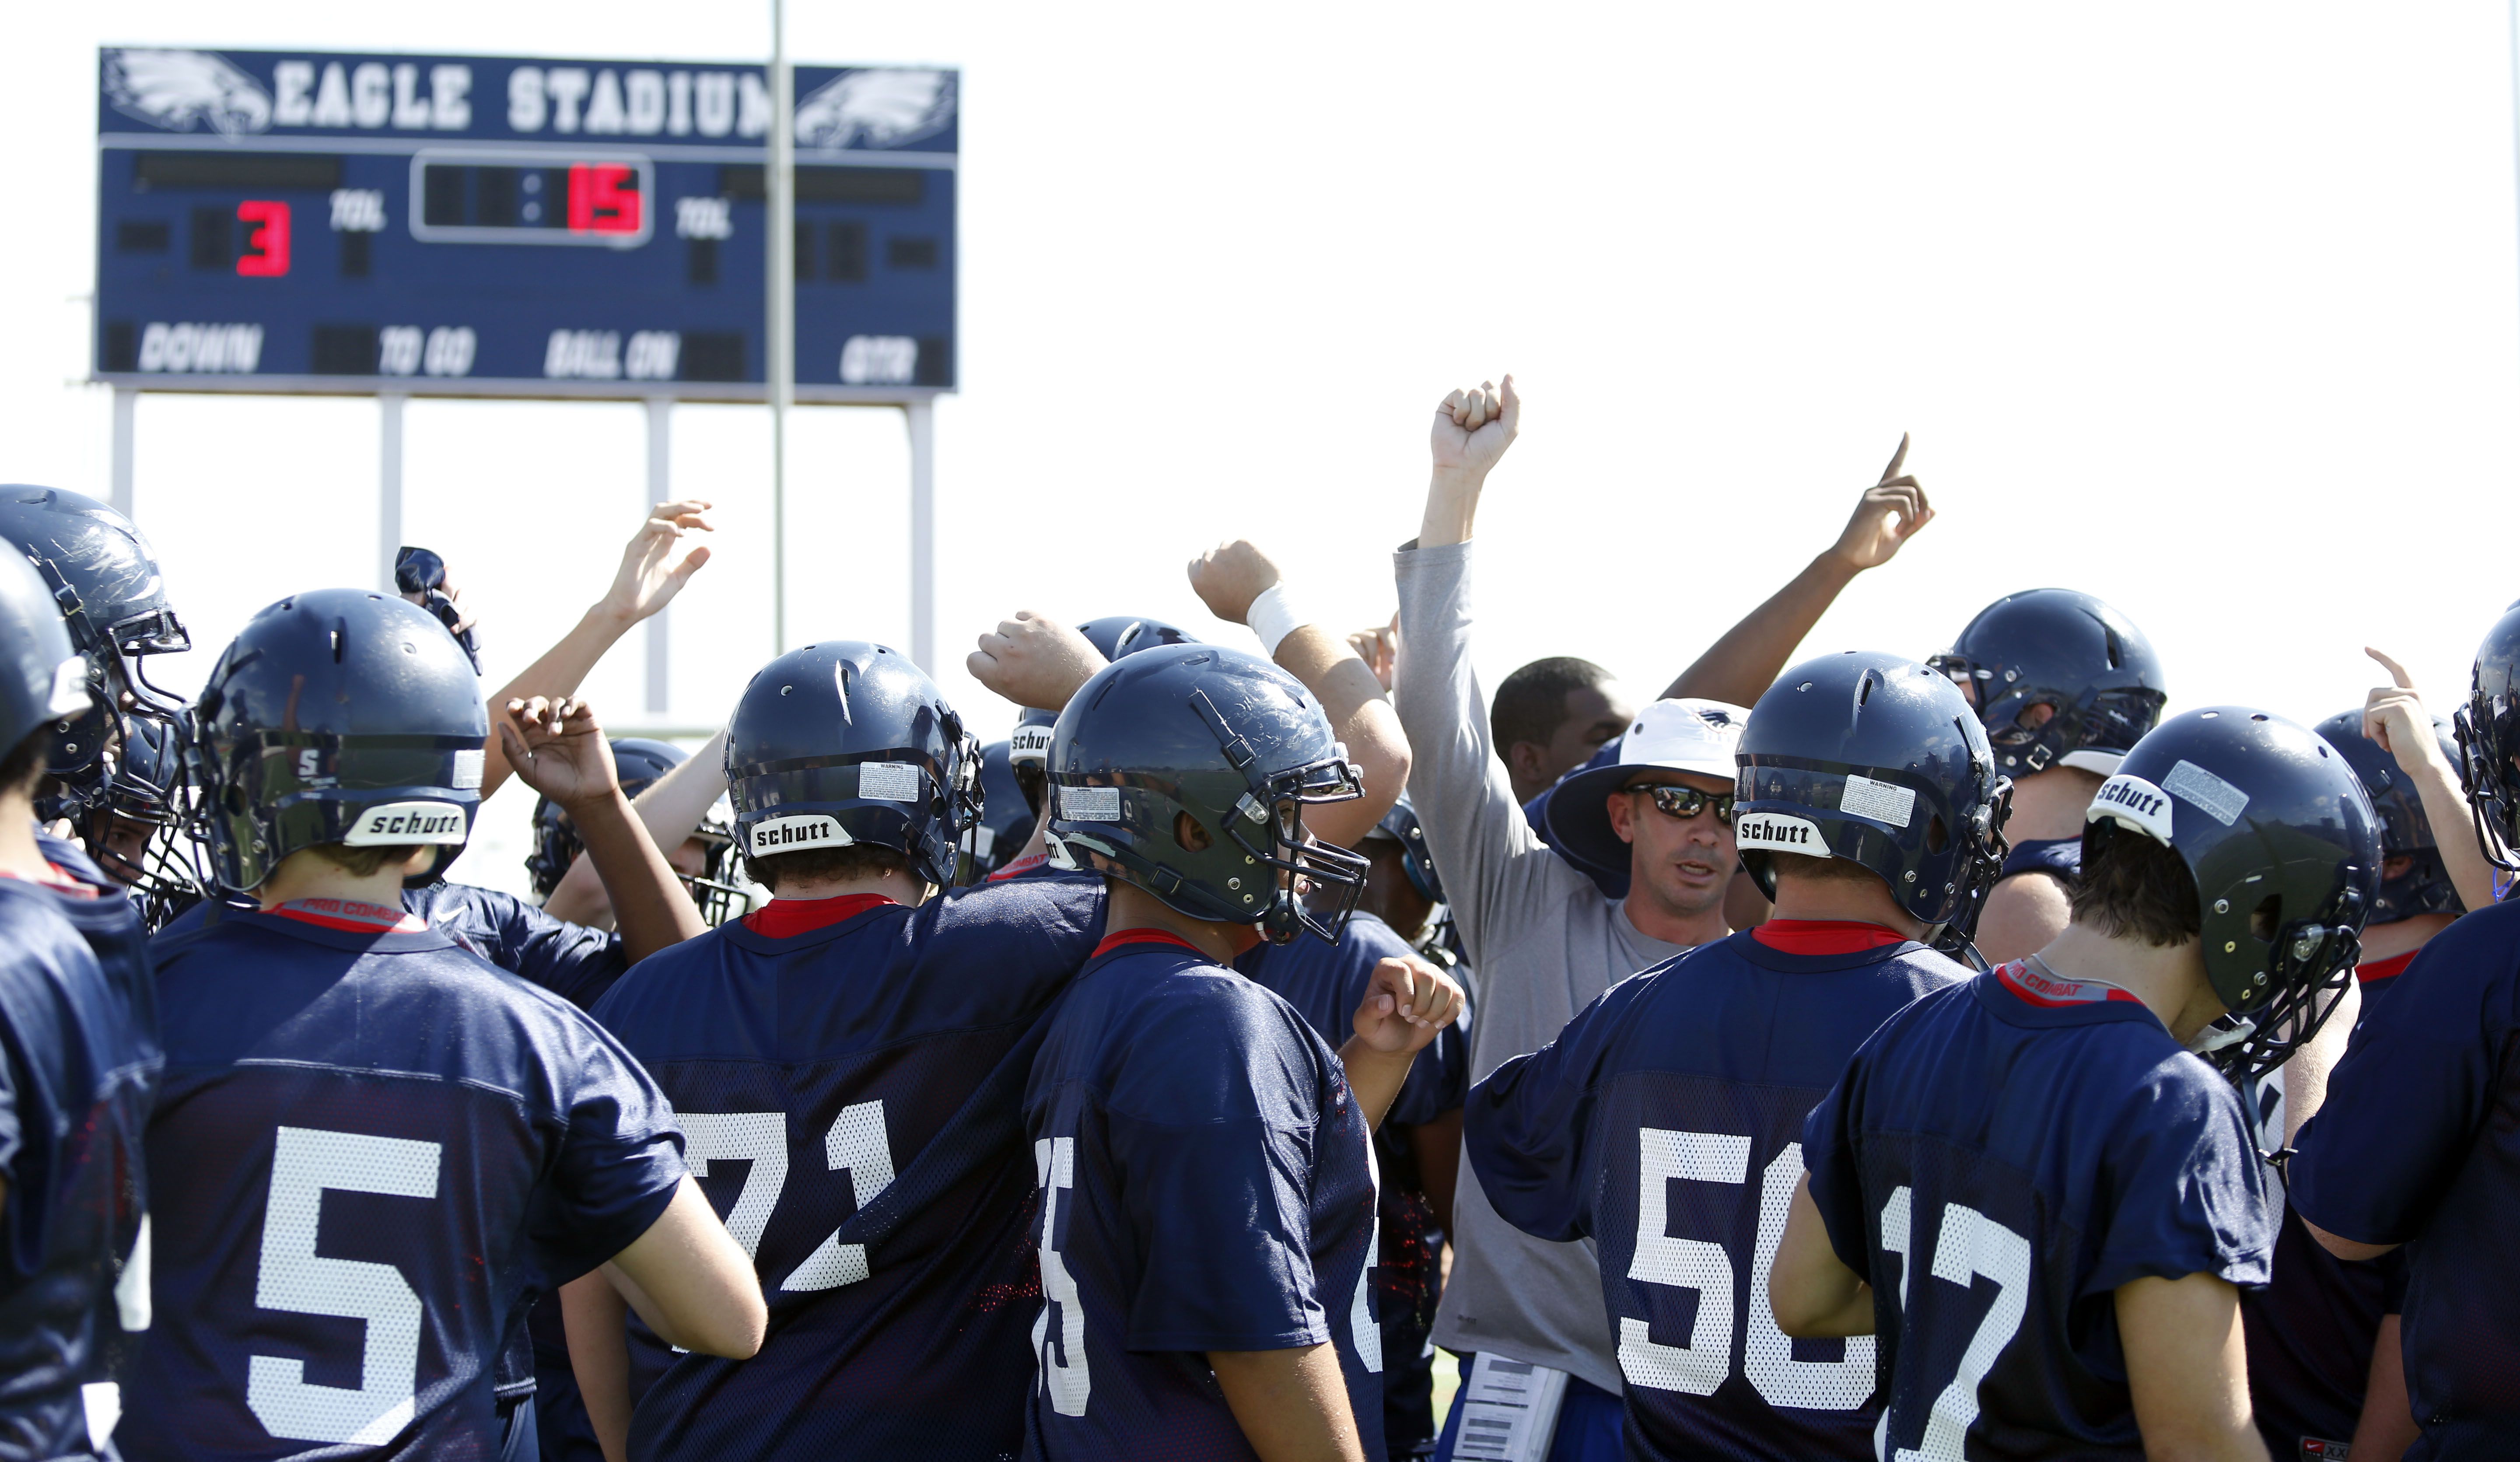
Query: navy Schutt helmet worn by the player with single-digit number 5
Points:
[336, 717]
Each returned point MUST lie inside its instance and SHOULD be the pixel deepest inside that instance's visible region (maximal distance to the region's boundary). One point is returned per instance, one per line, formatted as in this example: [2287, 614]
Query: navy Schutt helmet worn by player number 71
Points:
[845, 745]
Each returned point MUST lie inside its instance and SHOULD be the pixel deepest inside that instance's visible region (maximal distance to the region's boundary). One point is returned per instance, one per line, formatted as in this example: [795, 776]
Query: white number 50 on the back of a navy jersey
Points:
[1705, 1362]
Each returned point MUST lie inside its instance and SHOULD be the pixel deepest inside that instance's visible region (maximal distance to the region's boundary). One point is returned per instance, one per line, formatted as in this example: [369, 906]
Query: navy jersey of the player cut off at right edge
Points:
[2420, 1143]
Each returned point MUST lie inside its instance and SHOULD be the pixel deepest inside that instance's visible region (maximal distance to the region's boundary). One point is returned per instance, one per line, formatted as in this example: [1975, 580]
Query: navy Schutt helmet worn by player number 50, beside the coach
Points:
[1876, 760]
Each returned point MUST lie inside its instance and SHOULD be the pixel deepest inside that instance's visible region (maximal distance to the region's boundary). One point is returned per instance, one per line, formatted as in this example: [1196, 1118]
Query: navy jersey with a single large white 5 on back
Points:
[369, 1156]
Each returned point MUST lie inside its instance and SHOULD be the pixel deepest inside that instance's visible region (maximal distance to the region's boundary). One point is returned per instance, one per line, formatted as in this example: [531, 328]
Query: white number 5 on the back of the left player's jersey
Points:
[294, 1277]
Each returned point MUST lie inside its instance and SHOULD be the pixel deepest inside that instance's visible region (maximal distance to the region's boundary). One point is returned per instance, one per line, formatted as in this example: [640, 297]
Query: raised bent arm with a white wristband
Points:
[1241, 586]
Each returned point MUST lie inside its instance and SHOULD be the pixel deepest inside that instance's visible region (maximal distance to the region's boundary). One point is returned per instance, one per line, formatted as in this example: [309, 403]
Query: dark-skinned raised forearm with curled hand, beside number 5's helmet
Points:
[563, 755]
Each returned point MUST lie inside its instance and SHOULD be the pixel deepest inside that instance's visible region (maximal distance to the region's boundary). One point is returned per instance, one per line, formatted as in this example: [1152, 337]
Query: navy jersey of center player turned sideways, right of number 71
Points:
[1208, 1189]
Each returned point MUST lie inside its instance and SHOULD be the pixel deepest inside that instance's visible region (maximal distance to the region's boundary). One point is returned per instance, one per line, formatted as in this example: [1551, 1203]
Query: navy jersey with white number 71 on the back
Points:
[853, 1103]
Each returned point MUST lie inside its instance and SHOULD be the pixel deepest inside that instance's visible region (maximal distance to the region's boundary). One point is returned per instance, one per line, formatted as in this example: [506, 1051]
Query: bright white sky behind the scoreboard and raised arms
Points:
[2209, 311]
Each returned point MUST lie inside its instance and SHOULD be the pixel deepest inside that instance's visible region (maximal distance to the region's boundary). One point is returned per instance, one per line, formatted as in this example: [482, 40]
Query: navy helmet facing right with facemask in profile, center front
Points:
[1239, 747]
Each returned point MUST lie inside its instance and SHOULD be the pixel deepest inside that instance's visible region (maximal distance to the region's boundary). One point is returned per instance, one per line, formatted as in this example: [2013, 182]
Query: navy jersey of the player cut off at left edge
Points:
[79, 1068]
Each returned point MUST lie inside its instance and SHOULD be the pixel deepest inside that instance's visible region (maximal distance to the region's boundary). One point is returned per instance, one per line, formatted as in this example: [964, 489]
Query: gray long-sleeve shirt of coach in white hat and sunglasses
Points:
[1543, 944]
